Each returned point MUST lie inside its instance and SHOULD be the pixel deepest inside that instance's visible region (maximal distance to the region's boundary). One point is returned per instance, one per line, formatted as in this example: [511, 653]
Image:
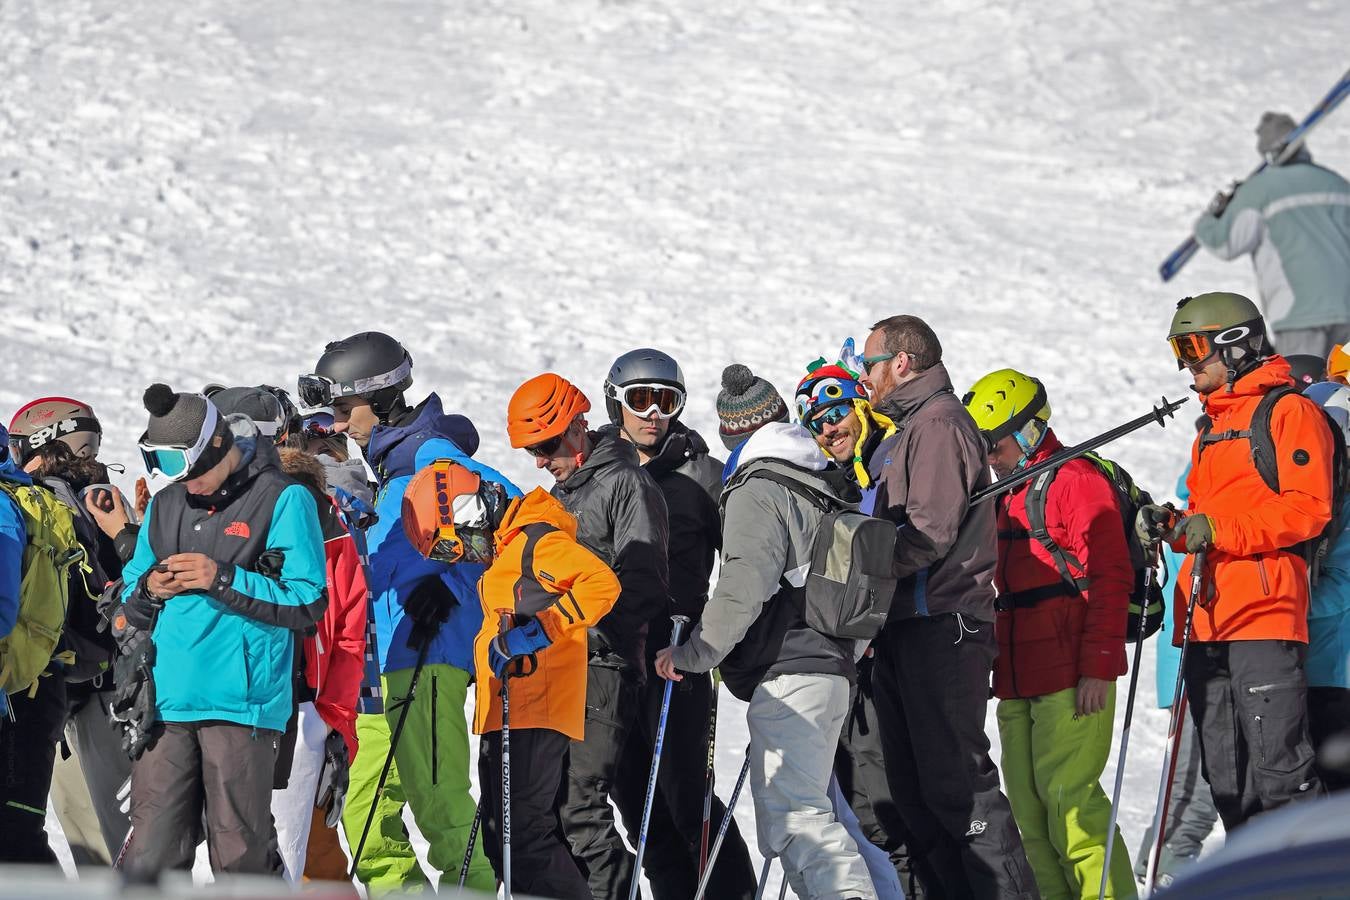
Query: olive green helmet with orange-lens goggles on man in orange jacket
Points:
[1220, 325]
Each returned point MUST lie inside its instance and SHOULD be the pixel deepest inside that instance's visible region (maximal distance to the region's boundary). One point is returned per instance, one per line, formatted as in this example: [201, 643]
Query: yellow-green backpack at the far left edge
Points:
[45, 588]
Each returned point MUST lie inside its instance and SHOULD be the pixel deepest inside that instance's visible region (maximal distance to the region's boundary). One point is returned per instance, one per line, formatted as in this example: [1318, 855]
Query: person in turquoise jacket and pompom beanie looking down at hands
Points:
[229, 565]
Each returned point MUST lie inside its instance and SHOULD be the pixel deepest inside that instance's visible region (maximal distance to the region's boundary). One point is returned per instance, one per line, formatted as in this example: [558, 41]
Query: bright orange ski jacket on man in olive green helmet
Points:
[1258, 582]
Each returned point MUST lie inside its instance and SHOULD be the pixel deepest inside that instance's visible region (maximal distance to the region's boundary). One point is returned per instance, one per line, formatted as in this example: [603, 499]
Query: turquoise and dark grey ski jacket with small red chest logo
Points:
[227, 654]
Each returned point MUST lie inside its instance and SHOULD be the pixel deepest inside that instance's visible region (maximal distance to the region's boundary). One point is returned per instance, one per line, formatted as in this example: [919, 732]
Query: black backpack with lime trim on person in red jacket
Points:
[1147, 598]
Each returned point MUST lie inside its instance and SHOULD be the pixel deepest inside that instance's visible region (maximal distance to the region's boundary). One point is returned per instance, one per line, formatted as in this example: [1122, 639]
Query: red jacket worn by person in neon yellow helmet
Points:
[1051, 644]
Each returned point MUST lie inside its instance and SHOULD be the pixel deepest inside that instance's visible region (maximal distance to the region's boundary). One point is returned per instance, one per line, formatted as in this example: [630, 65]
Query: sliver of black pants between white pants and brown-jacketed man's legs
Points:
[861, 771]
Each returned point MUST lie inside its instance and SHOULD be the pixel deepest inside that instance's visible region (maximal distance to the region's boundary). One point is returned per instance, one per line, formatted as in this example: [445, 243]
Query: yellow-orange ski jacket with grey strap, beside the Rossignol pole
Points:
[542, 573]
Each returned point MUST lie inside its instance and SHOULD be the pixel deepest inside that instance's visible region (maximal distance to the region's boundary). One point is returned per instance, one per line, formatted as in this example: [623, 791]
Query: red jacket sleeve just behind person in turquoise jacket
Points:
[348, 602]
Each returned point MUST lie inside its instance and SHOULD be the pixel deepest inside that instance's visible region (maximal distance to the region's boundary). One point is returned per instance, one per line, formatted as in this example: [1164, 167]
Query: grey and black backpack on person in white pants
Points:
[851, 584]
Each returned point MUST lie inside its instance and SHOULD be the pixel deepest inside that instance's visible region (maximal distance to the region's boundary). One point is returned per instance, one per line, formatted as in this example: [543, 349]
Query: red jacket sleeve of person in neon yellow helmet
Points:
[1086, 503]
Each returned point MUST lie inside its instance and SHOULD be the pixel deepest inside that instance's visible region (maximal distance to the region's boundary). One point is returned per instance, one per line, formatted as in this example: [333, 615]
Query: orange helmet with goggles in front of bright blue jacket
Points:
[452, 515]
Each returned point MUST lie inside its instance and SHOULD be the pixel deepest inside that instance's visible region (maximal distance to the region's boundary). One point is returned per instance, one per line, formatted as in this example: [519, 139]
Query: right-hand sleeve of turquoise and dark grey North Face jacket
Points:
[299, 598]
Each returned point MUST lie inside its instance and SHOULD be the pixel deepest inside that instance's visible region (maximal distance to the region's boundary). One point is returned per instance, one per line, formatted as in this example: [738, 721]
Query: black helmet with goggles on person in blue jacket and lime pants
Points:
[369, 365]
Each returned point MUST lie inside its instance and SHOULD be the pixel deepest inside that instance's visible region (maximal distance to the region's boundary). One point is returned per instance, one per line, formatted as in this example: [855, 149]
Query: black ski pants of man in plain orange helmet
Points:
[612, 708]
